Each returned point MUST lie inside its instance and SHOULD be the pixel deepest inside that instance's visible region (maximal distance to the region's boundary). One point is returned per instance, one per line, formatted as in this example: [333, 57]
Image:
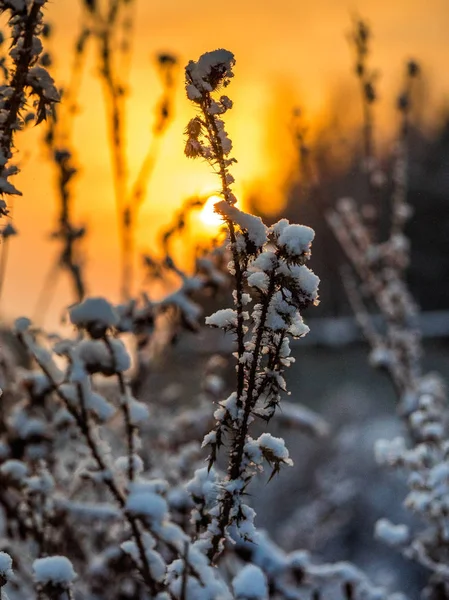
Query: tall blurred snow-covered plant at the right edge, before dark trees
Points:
[380, 269]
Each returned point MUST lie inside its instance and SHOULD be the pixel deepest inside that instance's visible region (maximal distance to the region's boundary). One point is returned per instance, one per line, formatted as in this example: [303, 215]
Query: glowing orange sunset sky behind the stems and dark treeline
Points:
[288, 52]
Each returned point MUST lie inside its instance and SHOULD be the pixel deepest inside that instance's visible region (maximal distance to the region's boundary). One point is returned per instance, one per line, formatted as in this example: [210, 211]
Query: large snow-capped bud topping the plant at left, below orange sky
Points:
[96, 315]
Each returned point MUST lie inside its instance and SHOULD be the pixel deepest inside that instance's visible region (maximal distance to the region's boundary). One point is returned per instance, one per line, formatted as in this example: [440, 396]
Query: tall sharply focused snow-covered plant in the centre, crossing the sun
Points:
[272, 286]
